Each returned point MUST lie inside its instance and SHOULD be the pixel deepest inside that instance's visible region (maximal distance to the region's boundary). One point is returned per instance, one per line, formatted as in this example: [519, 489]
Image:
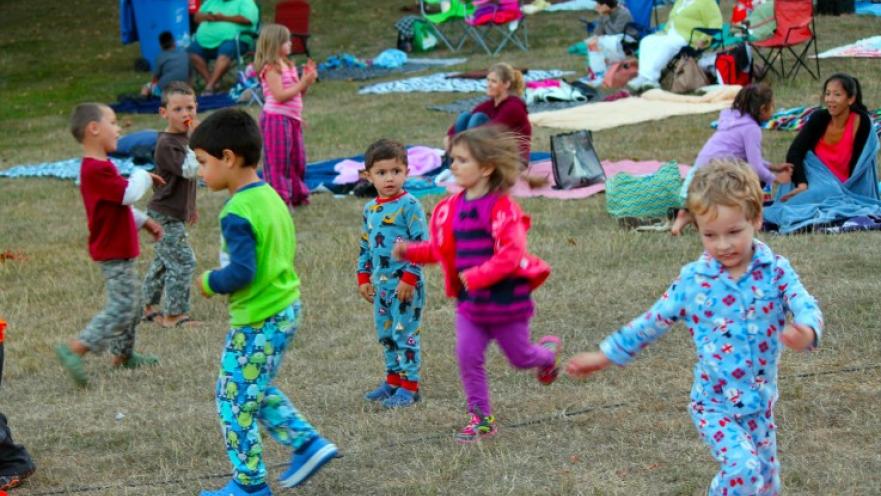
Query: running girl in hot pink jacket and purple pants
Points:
[479, 237]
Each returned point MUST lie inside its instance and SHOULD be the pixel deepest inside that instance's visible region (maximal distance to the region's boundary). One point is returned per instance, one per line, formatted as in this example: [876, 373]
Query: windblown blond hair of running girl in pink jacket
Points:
[492, 146]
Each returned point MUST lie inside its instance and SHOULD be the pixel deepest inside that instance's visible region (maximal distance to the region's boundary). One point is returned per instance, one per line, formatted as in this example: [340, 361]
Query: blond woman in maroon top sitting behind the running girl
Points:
[505, 107]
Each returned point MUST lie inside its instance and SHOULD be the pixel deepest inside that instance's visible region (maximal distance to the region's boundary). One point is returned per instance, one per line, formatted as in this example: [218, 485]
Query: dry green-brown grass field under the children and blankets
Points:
[624, 432]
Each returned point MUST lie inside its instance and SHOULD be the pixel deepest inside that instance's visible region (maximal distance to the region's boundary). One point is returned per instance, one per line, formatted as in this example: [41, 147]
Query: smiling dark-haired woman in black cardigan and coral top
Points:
[836, 134]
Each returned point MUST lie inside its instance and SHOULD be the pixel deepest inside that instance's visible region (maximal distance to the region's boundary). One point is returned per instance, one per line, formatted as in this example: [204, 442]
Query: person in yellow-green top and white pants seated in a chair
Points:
[658, 49]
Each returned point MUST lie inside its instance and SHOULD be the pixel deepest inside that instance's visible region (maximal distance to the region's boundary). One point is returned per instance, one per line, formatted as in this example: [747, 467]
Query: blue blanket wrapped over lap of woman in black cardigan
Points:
[828, 200]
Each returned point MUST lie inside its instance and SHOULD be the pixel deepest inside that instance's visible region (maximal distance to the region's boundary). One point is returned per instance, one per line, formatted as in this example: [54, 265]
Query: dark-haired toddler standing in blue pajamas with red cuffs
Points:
[395, 288]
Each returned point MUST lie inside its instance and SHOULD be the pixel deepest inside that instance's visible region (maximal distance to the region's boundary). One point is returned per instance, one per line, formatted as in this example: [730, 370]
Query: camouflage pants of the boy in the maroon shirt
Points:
[114, 326]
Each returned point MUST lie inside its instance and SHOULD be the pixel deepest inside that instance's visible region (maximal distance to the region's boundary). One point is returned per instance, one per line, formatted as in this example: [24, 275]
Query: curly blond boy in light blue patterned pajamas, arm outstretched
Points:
[734, 300]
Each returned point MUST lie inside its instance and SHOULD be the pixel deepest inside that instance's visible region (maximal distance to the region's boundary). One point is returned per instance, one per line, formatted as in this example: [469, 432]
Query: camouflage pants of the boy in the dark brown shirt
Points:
[172, 268]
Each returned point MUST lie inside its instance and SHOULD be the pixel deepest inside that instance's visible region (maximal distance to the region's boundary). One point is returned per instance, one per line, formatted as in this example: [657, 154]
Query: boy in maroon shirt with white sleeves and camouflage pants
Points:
[113, 242]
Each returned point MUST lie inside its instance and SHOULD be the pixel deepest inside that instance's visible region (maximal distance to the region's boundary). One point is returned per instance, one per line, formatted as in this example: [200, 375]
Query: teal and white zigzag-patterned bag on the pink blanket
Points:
[644, 196]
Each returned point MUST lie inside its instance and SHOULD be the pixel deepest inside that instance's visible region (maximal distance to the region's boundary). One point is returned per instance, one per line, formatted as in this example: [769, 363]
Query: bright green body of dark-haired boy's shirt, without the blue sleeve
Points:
[275, 284]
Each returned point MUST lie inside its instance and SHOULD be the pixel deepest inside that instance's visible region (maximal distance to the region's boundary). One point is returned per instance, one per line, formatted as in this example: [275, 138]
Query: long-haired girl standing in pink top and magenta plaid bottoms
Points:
[284, 161]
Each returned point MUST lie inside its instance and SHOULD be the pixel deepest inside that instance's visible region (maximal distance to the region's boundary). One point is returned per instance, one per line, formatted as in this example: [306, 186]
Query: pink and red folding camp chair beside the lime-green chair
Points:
[497, 22]
